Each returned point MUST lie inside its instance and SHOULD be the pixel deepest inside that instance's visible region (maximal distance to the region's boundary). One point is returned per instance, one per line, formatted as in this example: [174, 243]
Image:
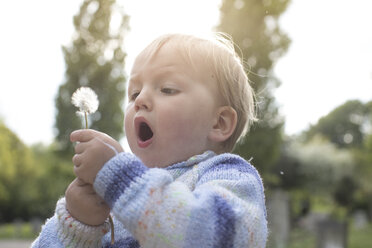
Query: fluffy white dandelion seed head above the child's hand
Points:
[86, 100]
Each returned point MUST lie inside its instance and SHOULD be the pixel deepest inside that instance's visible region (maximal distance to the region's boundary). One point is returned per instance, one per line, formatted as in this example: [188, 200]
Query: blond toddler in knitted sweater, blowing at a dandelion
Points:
[189, 102]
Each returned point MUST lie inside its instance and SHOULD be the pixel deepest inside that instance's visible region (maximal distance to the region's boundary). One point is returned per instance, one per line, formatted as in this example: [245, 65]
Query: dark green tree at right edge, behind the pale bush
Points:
[349, 127]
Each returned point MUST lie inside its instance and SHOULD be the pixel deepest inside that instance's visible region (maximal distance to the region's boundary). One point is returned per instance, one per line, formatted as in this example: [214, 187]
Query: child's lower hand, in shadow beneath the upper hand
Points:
[85, 205]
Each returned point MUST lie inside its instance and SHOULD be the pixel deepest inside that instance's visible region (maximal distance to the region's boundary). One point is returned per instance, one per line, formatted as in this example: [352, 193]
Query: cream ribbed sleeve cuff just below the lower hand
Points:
[73, 233]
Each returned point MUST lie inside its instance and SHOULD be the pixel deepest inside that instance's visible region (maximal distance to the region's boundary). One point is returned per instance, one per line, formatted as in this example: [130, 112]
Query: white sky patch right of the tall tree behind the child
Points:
[329, 60]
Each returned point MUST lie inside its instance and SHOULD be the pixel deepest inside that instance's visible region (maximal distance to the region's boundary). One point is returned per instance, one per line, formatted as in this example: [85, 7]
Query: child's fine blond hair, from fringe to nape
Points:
[219, 54]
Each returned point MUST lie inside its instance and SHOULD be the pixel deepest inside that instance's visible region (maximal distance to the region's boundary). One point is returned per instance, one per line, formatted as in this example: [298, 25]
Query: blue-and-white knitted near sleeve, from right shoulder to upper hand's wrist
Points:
[225, 208]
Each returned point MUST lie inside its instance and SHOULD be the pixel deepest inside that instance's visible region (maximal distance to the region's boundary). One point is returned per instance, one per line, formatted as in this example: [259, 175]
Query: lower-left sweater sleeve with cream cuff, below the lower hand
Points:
[62, 230]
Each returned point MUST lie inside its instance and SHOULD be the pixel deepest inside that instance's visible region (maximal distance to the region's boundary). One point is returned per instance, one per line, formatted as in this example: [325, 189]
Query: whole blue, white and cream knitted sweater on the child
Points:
[207, 201]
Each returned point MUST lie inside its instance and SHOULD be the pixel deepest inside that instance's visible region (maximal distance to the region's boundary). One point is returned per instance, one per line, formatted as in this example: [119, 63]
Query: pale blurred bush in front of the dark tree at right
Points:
[320, 167]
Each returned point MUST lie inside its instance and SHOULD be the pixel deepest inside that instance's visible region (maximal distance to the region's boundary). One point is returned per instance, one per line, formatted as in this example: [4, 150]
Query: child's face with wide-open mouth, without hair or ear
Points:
[172, 108]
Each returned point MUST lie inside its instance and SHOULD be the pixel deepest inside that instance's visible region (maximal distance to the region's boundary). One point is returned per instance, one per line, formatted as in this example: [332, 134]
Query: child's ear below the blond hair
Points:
[225, 123]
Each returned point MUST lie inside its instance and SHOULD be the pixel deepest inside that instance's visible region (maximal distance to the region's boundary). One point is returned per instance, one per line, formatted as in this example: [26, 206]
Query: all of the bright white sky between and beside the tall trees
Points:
[329, 60]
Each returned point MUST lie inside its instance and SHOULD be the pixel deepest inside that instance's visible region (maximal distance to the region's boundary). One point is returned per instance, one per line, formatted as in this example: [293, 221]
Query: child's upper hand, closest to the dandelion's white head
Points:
[92, 152]
